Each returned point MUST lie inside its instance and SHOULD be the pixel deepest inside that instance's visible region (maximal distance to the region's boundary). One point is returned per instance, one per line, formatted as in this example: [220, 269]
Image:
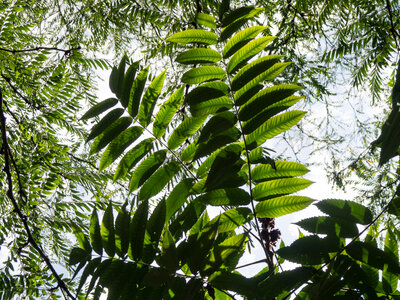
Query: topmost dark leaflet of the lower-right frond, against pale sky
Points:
[347, 210]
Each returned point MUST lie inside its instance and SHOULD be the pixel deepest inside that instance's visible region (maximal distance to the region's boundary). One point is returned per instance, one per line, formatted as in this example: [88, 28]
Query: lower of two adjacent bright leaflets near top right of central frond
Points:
[247, 52]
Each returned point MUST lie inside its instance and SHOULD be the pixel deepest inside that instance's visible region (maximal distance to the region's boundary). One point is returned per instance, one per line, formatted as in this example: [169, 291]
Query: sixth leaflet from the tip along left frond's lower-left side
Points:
[146, 169]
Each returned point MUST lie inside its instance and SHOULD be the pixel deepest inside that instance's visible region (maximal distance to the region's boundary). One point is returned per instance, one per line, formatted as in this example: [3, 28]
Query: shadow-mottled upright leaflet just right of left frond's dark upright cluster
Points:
[149, 99]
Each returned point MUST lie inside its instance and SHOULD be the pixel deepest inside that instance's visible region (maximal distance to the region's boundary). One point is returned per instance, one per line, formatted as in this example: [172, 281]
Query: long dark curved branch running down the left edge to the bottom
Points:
[17, 209]
